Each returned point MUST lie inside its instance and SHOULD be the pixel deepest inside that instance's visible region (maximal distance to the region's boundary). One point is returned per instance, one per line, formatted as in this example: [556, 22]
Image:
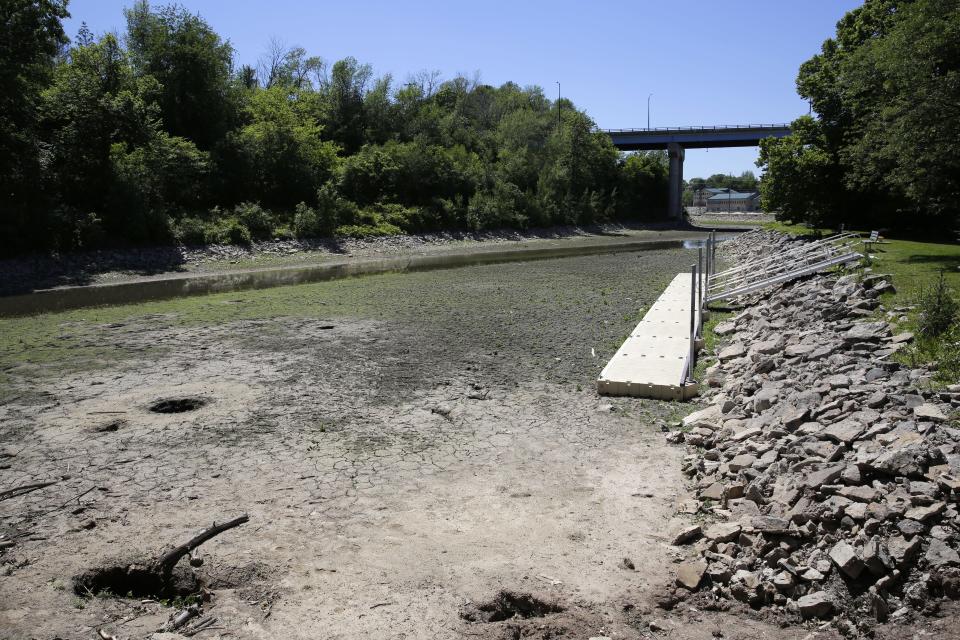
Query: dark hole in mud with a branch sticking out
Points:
[135, 581]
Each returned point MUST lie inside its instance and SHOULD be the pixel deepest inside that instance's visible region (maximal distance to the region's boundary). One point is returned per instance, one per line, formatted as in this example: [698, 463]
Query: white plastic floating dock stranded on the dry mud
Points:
[652, 362]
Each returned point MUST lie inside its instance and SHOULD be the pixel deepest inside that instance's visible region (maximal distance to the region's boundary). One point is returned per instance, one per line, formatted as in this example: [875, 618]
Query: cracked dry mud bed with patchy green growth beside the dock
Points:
[408, 448]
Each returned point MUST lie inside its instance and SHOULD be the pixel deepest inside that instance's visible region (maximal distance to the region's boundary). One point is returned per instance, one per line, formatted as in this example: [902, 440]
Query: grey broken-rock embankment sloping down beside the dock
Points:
[829, 473]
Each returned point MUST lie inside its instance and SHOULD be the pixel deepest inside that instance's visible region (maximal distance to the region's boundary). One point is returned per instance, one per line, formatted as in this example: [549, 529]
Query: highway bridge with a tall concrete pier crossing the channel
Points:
[676, 139]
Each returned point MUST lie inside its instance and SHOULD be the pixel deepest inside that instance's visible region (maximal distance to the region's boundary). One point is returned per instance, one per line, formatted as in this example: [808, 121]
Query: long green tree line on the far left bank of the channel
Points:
[156, 136]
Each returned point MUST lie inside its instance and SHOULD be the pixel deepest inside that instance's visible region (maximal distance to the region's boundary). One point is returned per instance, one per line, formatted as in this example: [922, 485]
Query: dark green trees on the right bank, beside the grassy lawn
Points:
[881, 150]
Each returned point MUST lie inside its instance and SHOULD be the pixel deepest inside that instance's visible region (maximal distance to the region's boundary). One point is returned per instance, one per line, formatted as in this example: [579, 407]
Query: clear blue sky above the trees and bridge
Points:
[706, 62]
